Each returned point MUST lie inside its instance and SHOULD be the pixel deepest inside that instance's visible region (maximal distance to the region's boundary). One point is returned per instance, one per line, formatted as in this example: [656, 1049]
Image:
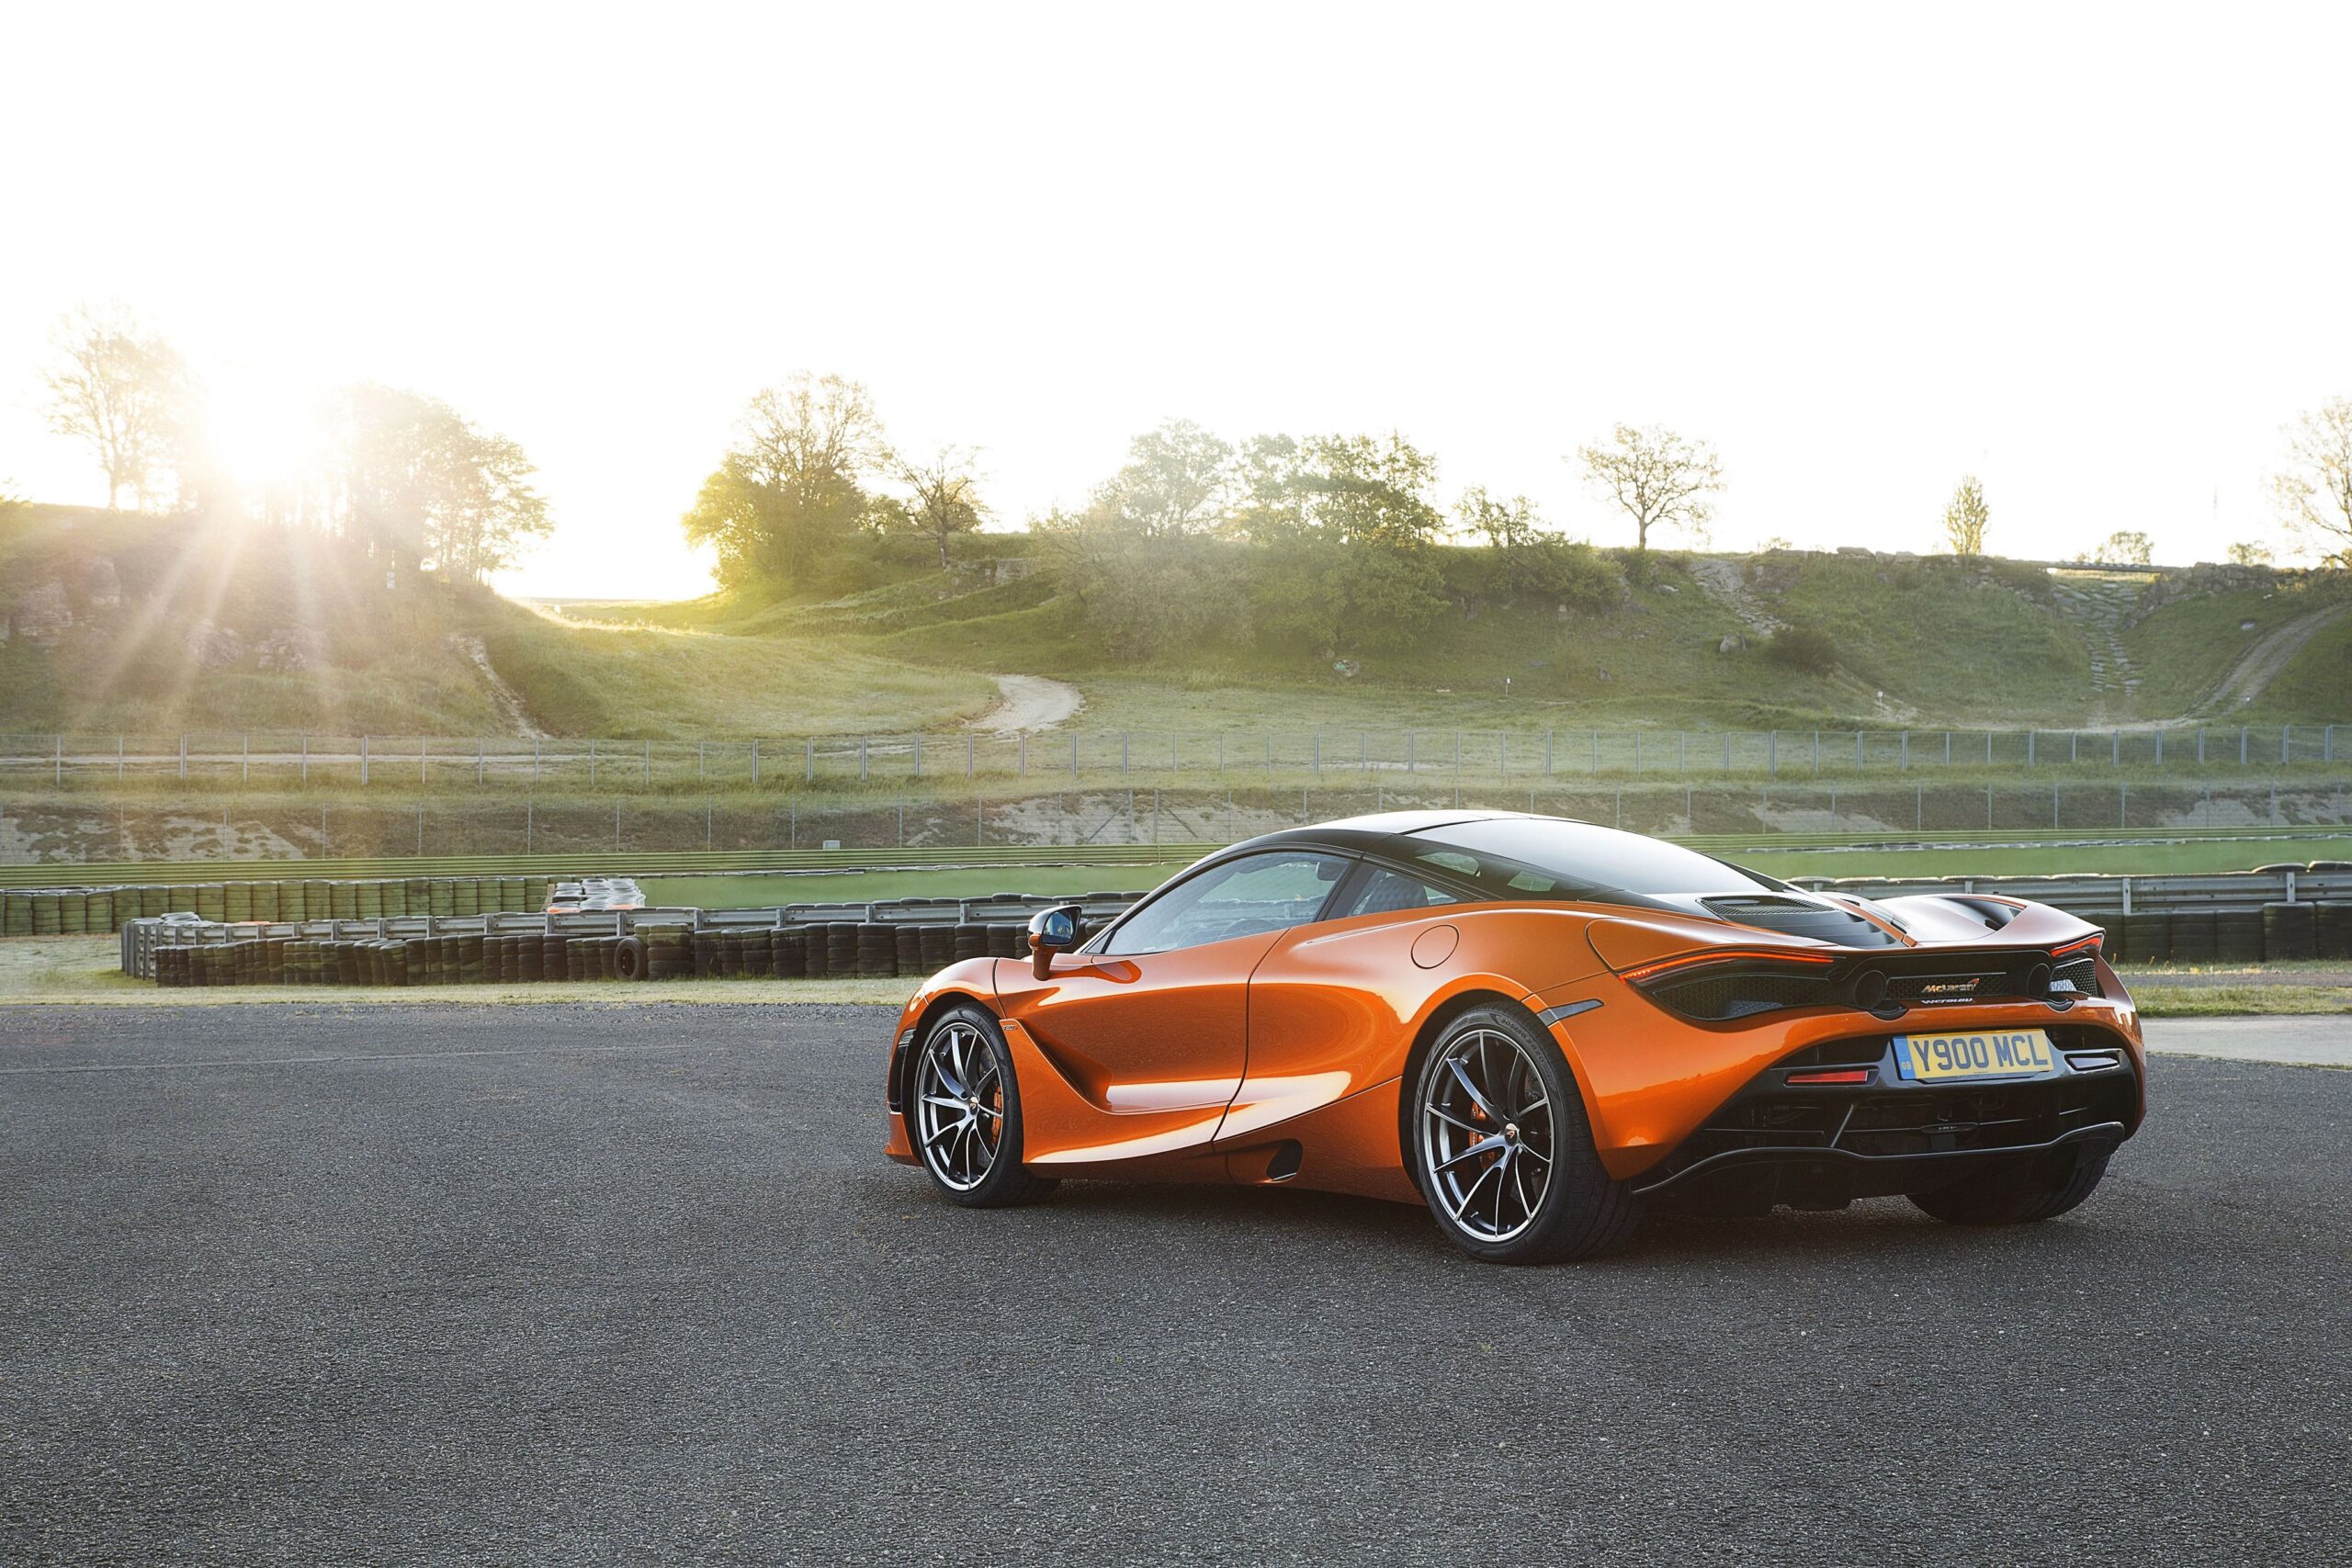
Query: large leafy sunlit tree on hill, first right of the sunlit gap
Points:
[794, 485]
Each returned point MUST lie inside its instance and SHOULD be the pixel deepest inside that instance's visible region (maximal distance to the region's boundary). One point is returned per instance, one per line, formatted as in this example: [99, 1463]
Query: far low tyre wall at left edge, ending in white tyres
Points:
[290, 902]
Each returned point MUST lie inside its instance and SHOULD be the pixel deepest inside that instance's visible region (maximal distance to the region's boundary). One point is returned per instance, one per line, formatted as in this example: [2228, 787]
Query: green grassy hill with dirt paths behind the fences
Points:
[154, 626]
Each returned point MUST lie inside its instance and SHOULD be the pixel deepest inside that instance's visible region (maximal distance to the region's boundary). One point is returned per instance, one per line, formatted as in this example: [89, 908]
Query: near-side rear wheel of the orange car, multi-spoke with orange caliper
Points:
[1502, 1146]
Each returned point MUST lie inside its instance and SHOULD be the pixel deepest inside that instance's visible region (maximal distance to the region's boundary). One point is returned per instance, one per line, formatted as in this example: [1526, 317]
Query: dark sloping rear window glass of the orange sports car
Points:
[1532, 857]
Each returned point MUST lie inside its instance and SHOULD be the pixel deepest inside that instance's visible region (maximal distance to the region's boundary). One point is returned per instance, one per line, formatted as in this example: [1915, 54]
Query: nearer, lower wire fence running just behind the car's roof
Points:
[599, 831]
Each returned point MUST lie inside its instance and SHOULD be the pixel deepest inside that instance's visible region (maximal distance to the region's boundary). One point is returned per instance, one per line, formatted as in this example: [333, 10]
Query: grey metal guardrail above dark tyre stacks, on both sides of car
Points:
[2087, 897]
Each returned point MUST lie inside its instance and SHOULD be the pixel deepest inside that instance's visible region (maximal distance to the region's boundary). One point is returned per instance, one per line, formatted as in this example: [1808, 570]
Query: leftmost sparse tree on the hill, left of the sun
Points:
[119, 389]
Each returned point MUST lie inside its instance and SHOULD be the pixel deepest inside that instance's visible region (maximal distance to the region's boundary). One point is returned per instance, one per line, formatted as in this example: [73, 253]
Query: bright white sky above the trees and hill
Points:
[2097, 255]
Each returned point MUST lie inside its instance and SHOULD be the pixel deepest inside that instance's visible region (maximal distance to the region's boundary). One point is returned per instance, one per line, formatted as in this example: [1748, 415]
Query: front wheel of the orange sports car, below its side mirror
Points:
[965, 1113]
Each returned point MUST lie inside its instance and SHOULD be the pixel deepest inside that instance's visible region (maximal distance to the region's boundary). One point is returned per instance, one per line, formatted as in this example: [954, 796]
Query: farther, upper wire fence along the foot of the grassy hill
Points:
[1535, 756]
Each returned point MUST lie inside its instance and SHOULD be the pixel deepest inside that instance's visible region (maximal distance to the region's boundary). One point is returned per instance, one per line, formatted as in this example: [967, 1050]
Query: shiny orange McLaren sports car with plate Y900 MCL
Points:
[1539, 1031]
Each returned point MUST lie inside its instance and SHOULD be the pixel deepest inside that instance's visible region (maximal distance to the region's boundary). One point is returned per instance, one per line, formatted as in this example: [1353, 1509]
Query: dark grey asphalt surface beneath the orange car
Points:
[634, 1285]
